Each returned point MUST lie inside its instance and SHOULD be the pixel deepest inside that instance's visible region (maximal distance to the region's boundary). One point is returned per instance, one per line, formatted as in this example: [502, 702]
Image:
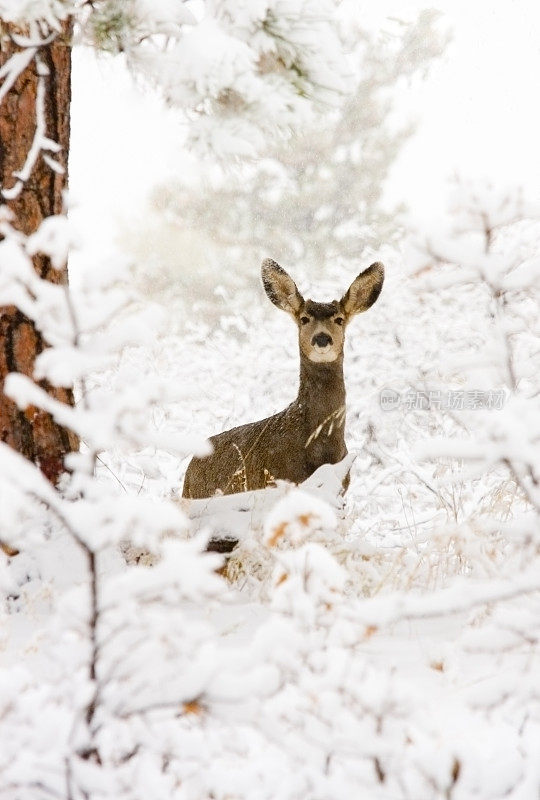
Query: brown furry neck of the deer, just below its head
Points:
[321, 393]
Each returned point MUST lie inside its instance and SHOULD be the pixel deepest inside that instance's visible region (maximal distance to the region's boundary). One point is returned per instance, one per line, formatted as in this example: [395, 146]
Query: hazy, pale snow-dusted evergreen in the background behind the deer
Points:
[315, 197]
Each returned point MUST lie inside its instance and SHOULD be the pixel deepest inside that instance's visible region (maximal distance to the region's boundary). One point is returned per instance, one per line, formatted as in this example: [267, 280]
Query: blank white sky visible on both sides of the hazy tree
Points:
[477, 113]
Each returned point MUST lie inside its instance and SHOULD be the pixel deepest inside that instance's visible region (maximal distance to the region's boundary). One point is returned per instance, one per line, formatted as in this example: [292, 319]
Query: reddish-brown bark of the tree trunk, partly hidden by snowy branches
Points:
[33, 432]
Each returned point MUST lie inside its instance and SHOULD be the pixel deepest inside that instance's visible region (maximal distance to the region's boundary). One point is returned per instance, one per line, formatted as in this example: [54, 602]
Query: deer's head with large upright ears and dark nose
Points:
[321, 326]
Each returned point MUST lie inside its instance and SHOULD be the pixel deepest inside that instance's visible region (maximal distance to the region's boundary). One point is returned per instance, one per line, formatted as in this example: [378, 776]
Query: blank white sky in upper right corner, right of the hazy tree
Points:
[478, 112]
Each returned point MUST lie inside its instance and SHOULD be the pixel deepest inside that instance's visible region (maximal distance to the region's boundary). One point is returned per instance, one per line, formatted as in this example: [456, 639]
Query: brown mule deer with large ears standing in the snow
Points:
[292, 444]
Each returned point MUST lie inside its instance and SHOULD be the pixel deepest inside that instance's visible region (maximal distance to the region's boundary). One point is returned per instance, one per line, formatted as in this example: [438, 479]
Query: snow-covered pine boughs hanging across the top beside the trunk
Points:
[262, 68]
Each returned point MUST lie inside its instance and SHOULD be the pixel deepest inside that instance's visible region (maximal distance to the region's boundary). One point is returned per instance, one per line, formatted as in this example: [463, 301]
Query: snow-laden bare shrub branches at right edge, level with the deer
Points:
[492, 250]
